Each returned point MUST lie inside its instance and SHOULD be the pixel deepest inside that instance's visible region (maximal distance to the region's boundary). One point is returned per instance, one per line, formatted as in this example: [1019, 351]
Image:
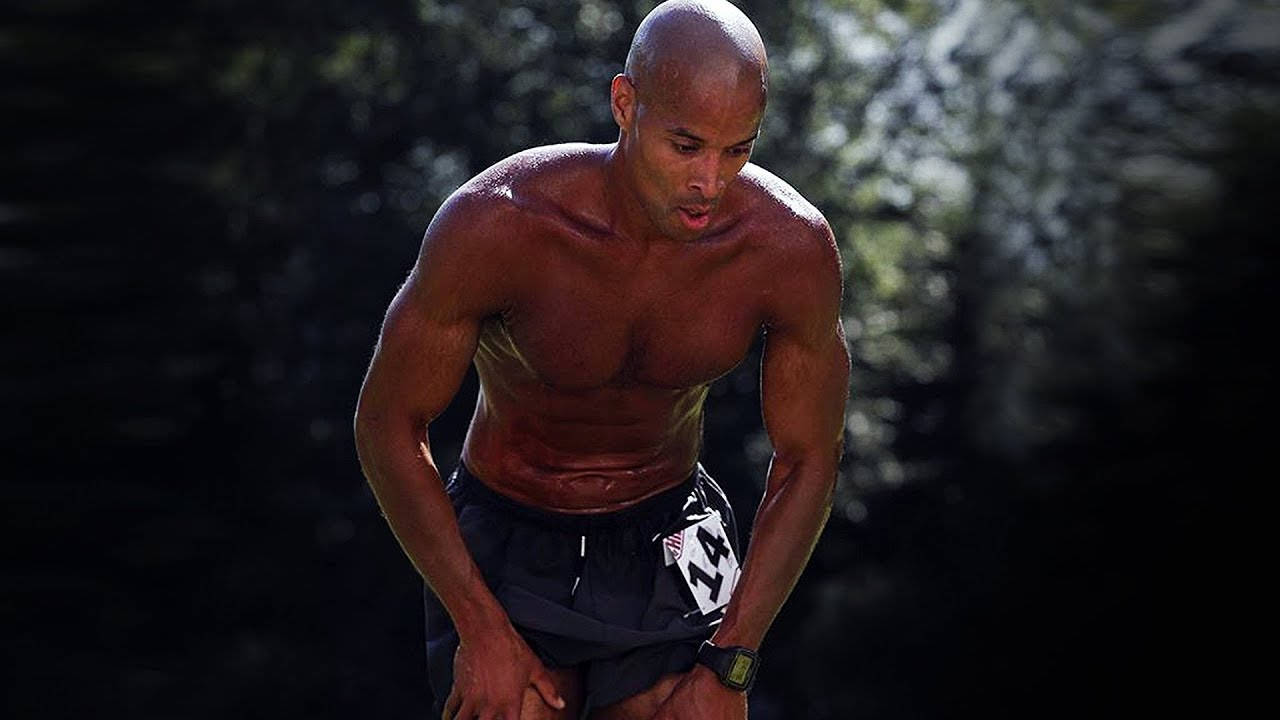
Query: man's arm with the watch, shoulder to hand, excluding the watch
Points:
[804, 389]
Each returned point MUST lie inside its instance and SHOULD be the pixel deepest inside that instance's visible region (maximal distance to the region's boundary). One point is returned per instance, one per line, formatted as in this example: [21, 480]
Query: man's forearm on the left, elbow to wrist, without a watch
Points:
[409, 490]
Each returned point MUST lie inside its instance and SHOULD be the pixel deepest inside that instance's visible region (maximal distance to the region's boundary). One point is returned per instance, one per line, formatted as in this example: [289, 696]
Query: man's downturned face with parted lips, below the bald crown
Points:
[685, 145]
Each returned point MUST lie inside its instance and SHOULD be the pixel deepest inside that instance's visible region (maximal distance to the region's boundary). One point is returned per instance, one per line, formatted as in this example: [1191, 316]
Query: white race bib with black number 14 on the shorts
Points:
[706, 560]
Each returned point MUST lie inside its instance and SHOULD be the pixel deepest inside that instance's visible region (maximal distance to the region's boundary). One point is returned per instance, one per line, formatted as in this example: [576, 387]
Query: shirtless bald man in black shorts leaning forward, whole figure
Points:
[579, 557]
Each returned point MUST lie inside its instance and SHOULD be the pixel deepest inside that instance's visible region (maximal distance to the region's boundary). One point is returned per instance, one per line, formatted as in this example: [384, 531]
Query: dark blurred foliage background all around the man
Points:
[1053, 220]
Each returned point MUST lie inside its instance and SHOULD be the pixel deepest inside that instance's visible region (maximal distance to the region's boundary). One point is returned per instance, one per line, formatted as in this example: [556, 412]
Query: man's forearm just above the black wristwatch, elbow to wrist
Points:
[792, 516]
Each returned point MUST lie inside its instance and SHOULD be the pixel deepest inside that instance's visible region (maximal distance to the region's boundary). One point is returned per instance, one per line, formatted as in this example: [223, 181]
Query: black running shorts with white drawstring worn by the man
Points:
[597, 593]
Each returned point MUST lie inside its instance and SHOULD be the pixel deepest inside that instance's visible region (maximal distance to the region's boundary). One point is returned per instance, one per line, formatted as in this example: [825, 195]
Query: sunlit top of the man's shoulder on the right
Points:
[789, 224]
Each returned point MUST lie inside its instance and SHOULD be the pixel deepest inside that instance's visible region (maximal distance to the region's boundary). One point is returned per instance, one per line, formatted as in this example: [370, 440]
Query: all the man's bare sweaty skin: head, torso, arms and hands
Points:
[600, 290]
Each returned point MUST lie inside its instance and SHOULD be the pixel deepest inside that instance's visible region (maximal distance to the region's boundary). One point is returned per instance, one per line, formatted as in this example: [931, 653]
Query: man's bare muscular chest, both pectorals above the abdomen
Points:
[676, 323]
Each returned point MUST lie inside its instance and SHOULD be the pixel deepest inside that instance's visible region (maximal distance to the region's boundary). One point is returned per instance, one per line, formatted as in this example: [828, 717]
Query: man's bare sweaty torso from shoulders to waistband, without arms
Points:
[595, 376]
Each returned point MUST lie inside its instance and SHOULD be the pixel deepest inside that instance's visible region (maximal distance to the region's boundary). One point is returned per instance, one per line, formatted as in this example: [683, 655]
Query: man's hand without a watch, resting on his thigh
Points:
[491, 677]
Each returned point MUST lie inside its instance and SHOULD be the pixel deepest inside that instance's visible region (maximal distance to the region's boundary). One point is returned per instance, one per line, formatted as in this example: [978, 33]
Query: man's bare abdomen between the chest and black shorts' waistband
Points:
[587, 452]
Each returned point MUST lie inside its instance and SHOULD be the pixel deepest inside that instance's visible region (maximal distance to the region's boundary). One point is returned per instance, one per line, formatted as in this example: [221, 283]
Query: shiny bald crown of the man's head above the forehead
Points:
[696, 45]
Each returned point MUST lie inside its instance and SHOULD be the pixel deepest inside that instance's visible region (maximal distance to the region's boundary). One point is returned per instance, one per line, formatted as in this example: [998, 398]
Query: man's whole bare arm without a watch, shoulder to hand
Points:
[427, 344]
